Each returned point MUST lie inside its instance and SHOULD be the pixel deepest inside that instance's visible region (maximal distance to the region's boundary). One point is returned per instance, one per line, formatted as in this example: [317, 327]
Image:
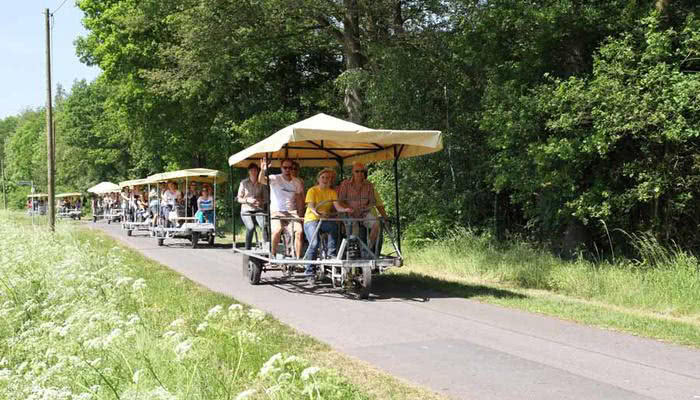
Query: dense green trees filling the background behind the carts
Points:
[563, 120]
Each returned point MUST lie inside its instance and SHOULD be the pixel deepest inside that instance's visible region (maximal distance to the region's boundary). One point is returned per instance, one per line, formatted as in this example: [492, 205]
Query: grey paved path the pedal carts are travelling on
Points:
[461, 348]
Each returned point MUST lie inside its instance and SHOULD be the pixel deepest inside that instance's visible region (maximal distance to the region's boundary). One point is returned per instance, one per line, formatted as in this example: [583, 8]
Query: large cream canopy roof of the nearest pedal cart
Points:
[323, 140]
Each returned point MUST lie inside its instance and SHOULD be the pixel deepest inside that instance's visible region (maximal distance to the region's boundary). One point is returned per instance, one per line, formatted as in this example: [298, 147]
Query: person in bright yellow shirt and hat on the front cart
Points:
[320, 200]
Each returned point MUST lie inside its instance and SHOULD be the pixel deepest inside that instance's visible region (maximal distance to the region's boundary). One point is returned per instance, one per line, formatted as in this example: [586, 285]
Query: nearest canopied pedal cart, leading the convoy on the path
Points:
[326, 141]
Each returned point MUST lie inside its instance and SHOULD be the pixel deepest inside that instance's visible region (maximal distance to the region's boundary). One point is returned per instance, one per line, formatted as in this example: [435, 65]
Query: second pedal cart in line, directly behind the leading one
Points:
[177, 224]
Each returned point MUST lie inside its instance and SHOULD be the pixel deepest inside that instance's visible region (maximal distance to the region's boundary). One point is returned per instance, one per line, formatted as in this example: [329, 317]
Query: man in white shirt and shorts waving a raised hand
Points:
[285, 192]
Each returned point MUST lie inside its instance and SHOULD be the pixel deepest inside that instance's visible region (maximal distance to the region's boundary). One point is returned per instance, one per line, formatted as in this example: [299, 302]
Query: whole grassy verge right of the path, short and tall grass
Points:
[656, 297]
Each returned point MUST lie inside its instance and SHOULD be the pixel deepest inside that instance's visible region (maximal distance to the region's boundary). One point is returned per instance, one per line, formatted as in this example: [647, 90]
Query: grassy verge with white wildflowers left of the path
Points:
[85, 318]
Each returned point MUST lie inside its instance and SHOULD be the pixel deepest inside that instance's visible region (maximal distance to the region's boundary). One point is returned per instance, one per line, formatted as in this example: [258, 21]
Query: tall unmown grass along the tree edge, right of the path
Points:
[660, 280]
